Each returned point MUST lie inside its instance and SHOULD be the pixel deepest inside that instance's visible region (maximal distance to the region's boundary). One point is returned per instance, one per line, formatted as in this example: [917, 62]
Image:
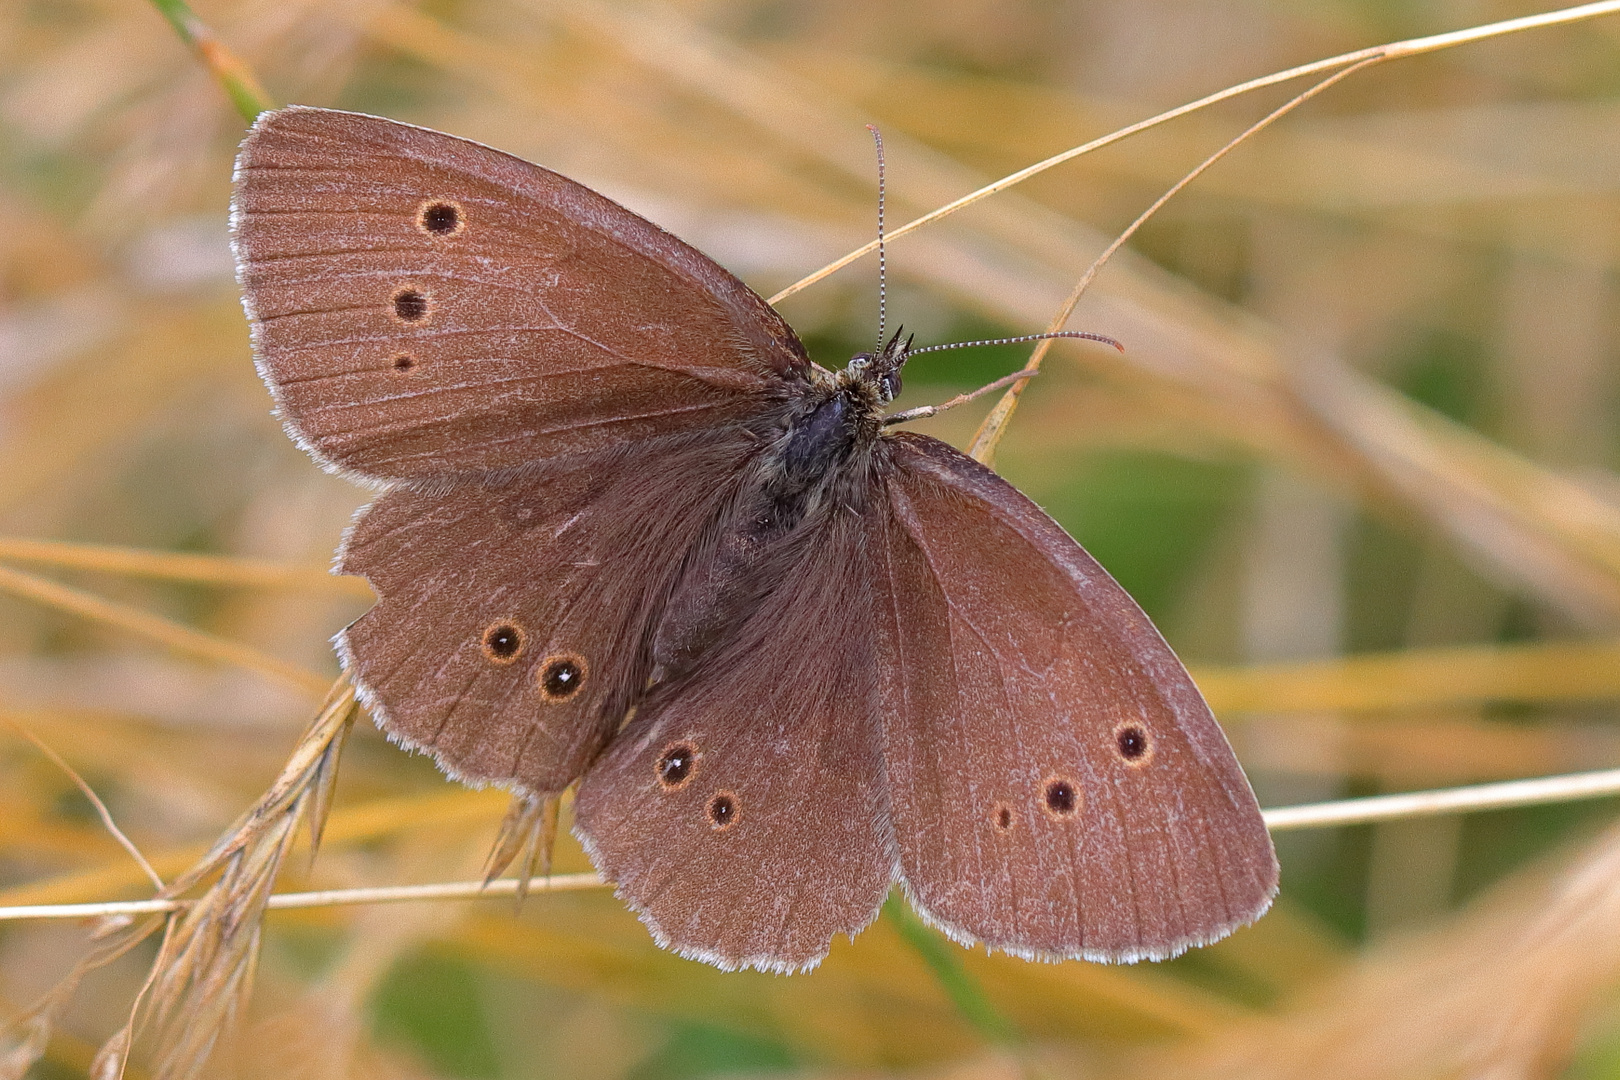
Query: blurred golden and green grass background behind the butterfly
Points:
[1358, 462]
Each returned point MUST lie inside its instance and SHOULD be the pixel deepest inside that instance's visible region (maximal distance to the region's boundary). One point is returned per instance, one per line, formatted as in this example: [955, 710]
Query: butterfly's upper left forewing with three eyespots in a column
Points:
[428, 305]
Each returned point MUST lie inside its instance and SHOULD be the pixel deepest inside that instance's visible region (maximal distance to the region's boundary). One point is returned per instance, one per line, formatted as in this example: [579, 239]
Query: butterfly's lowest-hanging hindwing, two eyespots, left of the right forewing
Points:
[743, 815]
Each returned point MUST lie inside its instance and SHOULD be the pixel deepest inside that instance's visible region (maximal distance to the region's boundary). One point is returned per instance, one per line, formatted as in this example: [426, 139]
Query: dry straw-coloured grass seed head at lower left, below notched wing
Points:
[205, 967]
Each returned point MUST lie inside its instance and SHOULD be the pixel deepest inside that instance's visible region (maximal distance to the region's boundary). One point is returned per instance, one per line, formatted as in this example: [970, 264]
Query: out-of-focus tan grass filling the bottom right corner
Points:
[1494, 995]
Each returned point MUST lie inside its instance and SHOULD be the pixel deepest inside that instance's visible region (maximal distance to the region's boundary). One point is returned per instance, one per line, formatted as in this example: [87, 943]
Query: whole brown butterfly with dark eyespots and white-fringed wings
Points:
[633, 537]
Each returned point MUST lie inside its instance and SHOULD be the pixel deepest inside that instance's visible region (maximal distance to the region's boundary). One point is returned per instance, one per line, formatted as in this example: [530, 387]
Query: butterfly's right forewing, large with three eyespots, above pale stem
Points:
[1059, 784]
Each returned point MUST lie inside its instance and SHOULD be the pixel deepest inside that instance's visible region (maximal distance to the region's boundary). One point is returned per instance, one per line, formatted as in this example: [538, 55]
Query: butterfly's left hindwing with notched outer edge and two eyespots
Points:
[511, 632]
